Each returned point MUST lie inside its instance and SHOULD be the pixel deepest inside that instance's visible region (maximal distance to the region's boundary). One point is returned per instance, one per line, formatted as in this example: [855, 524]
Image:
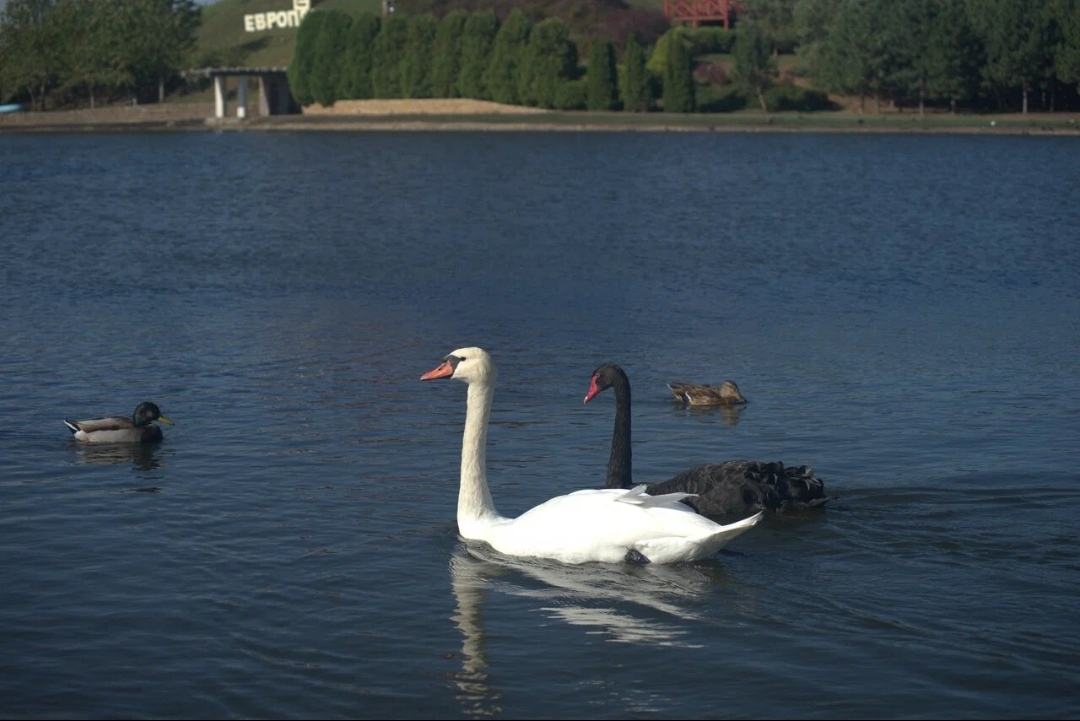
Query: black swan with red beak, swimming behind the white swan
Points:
[725, 492]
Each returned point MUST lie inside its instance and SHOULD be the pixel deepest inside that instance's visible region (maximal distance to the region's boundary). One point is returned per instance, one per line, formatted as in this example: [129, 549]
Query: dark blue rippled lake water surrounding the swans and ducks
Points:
[902, 311]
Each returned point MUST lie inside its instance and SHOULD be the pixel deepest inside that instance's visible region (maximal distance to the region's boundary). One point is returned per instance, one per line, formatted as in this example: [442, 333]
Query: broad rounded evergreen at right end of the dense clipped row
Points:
[550, 60]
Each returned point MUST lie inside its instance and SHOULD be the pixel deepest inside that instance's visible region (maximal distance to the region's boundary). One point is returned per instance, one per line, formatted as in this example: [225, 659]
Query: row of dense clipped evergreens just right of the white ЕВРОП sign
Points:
[465, 55]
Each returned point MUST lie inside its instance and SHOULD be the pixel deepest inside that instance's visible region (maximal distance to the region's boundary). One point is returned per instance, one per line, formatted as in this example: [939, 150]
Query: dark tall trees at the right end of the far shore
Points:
[941, 52]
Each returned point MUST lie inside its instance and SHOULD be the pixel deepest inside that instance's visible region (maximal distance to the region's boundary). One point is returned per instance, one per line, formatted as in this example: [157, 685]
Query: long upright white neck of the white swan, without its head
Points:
[476, 508]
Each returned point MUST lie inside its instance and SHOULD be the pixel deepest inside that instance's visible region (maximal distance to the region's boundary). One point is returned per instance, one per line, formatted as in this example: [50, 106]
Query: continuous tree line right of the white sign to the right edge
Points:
[1007, 55]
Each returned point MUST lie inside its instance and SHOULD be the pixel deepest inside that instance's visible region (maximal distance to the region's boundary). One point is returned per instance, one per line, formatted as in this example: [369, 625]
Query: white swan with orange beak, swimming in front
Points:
[592, 525]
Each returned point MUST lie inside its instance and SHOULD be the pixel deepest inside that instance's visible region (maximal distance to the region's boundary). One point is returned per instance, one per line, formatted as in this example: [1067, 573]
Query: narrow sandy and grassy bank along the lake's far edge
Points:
[467, 116]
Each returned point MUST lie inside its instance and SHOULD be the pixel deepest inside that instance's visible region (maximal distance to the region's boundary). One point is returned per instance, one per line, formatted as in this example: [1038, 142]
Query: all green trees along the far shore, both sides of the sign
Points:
[955, 55]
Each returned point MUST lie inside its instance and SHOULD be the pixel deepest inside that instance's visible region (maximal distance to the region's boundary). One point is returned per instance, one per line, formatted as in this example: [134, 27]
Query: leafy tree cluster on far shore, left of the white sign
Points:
[94, 49]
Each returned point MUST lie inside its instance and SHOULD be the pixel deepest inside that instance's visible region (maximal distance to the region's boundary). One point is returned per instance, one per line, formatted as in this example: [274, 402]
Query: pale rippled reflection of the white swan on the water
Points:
[624, 603]
